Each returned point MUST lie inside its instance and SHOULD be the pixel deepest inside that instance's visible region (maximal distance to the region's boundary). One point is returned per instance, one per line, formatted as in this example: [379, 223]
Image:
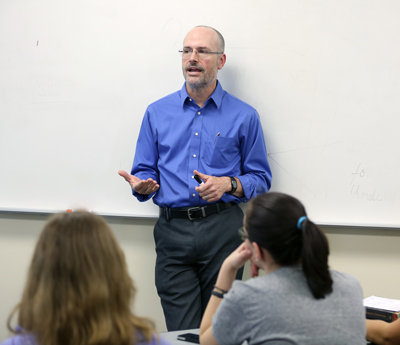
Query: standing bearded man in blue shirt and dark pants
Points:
[199, 130]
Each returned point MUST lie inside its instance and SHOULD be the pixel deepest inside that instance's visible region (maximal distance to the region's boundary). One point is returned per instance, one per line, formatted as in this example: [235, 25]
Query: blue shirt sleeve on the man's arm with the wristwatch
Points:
[257, 176]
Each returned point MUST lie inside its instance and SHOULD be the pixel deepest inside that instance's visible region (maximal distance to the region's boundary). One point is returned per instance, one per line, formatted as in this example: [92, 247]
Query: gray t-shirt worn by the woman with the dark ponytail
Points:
[278, 308]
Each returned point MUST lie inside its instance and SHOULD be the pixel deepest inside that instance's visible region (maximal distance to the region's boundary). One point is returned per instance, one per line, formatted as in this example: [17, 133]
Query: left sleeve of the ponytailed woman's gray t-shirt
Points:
[229, 323]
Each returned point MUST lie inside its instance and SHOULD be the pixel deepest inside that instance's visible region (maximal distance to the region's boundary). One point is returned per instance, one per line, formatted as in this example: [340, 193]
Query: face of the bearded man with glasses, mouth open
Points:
[201, 71]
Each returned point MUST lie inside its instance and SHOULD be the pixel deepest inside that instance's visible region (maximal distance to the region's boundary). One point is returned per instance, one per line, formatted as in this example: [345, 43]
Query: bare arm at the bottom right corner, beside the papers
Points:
[383, 333]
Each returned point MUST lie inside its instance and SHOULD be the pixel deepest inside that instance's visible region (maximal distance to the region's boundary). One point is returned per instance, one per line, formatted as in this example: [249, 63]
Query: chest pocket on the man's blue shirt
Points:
[223, 153]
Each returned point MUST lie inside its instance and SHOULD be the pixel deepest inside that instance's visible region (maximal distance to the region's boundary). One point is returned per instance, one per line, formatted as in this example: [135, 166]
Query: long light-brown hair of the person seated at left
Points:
[78, 290]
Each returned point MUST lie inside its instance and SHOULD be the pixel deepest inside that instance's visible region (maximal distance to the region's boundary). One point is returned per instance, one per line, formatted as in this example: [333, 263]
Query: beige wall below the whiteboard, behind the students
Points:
[372, 255]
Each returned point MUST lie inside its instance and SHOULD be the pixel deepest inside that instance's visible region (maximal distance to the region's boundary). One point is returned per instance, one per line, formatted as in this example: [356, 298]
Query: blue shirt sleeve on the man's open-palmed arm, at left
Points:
[146, 155]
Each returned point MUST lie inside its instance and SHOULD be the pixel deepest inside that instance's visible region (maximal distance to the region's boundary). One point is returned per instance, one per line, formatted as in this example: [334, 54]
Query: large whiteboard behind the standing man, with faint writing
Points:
[76, 77]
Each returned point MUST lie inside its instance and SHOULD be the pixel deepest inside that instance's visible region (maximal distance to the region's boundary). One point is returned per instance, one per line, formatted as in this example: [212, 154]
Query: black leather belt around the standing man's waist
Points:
[194, 213]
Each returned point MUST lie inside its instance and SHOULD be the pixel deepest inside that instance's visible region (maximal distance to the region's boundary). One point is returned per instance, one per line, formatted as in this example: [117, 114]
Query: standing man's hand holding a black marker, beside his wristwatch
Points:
[213, 188]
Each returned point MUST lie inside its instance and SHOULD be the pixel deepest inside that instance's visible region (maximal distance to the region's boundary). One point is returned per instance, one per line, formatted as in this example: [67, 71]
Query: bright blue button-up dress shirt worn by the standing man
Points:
[223, 138]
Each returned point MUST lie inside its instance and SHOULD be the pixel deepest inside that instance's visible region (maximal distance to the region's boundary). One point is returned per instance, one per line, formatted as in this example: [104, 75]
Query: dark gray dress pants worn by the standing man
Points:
[189, 256]
